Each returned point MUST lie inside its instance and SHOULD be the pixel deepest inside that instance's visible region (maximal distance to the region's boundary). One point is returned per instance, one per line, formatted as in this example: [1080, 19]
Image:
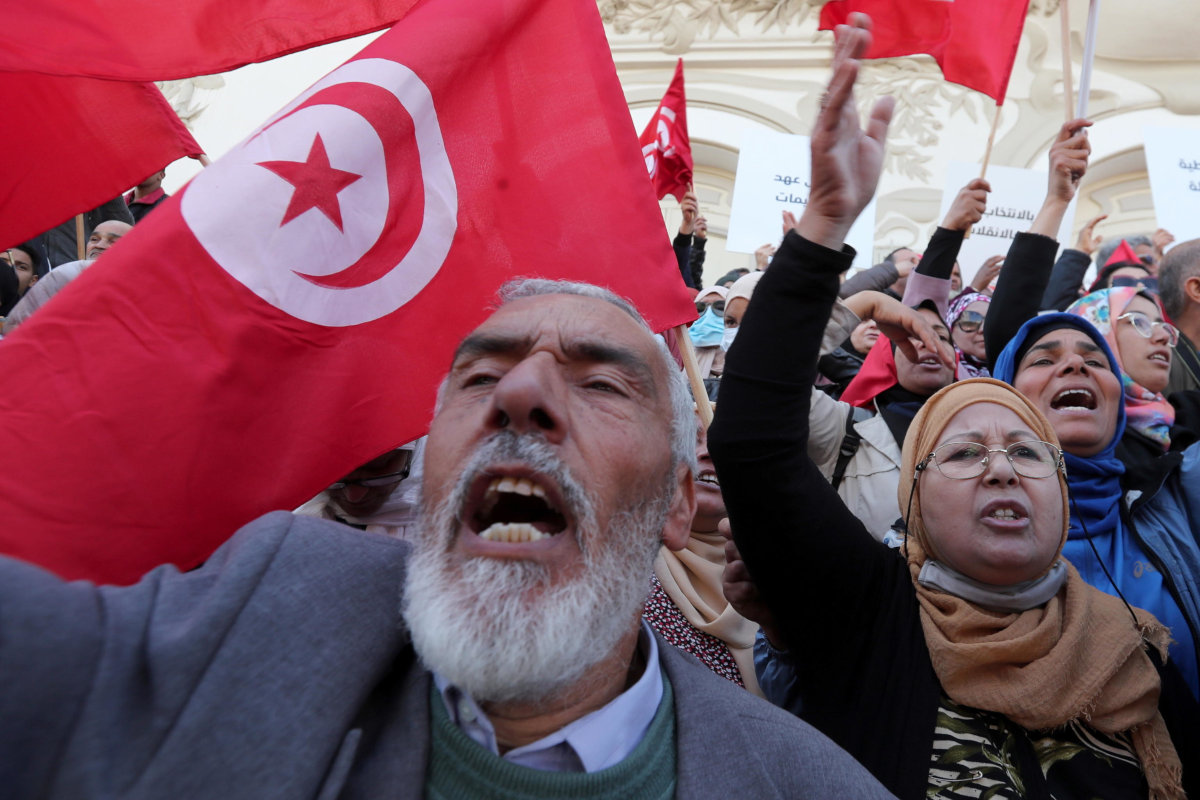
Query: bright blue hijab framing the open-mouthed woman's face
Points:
[1095, 482]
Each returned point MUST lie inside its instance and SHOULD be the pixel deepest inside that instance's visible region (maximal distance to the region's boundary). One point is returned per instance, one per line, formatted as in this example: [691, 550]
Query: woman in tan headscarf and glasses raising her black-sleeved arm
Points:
[973, 663]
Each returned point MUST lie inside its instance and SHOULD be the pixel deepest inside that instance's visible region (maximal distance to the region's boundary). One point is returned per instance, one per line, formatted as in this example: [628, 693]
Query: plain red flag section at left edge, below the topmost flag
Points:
[73, 145]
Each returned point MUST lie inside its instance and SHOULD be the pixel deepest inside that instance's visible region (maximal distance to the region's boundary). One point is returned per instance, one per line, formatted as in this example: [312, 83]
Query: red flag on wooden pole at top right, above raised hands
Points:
[974, 41]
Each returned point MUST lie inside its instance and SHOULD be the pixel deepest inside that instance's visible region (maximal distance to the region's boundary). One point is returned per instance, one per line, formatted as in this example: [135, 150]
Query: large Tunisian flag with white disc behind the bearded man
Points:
[290, 315]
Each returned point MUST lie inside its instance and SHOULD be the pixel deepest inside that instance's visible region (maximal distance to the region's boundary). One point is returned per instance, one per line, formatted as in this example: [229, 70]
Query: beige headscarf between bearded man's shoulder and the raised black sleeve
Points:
[692, 579]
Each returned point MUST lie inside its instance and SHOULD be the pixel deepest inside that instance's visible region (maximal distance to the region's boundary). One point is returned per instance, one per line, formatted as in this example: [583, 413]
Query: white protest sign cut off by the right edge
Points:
[1173, 161]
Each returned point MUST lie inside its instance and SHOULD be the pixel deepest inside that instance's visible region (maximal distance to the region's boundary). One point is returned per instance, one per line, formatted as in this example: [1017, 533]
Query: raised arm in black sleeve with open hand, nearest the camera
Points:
[787, 519]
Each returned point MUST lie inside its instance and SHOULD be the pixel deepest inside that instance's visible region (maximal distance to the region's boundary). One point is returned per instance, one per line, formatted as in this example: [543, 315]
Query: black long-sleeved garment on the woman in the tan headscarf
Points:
[843, 601]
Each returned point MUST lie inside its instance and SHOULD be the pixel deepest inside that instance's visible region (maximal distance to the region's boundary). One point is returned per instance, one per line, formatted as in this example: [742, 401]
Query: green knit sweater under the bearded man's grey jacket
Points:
[460, 768]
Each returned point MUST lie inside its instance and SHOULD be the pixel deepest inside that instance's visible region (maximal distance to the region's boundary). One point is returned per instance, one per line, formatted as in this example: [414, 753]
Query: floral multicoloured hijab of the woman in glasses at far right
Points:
[1147, 412]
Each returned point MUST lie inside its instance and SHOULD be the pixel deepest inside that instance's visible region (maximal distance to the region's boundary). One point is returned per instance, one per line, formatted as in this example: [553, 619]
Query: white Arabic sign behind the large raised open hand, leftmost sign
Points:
[773, 177]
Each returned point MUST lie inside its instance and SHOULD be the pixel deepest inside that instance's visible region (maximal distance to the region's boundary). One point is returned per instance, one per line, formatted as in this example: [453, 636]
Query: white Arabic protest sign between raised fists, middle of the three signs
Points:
[1017, 196]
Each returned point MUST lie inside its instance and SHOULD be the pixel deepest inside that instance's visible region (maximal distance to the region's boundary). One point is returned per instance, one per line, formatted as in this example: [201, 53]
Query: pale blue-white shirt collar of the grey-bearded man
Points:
[596, 742]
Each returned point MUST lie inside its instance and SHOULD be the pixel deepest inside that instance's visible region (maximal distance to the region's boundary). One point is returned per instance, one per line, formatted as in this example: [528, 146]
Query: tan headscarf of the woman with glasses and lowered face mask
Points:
[1077, 658]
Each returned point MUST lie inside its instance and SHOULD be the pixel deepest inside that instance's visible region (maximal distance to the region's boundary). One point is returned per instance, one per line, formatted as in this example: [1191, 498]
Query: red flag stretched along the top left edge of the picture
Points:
[163, 40]
